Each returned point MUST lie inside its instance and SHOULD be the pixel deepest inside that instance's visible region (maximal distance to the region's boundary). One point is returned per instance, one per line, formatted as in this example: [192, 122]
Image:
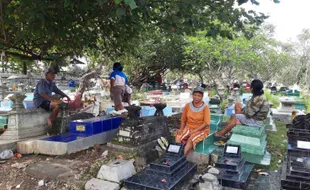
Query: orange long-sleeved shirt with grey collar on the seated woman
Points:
[196, 117]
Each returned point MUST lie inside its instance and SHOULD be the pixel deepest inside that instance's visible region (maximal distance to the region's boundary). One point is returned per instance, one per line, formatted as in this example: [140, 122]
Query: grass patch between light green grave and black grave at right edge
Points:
[277, 147]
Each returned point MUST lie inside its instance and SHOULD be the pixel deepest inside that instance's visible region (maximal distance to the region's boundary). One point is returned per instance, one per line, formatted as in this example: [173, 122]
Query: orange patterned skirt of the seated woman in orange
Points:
[196, 137]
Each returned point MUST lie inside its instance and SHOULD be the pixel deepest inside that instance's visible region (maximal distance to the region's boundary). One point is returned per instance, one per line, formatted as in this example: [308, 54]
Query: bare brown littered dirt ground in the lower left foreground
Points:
[83, 166]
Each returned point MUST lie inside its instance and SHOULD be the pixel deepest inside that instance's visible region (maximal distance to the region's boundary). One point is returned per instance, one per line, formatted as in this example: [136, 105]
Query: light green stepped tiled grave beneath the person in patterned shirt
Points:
[252, 141]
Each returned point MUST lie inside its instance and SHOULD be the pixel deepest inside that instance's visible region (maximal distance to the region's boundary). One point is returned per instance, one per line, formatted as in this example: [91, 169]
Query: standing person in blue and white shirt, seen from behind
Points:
[118, 81]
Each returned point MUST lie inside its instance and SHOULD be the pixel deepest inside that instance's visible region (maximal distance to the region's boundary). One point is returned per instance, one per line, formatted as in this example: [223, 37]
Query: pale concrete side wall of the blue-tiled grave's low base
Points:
[61, 148]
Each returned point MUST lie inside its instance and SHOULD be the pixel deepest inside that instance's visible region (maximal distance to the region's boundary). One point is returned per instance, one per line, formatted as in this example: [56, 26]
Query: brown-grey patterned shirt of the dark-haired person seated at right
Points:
[257, 108]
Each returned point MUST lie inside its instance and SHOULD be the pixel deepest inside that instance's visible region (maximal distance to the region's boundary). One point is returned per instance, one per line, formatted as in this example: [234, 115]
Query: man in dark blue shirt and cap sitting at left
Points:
[43, 95]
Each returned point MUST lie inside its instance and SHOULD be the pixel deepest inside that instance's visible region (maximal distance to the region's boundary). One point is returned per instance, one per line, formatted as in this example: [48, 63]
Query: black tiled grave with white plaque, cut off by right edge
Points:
[296, 168]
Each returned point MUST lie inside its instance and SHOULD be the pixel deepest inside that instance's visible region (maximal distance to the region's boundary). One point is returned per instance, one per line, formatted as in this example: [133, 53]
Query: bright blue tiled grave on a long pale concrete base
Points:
[83, 134]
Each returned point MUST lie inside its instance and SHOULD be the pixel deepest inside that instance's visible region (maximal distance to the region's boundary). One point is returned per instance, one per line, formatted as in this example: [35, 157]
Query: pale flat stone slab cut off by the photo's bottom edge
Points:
[97, 184]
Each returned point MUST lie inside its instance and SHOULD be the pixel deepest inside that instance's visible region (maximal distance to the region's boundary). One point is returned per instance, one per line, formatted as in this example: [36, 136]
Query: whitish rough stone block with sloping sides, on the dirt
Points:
[117, 171]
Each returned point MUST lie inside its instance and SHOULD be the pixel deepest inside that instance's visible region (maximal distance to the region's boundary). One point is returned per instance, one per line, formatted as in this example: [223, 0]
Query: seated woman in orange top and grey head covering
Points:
[195, 122]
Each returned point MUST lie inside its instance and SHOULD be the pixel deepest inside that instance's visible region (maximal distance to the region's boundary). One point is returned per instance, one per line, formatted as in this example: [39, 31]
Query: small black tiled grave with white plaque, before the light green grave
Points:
[234, 170]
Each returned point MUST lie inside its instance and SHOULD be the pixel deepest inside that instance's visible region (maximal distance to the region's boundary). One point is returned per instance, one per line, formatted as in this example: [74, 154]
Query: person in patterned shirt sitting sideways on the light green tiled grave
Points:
[254, 114]
